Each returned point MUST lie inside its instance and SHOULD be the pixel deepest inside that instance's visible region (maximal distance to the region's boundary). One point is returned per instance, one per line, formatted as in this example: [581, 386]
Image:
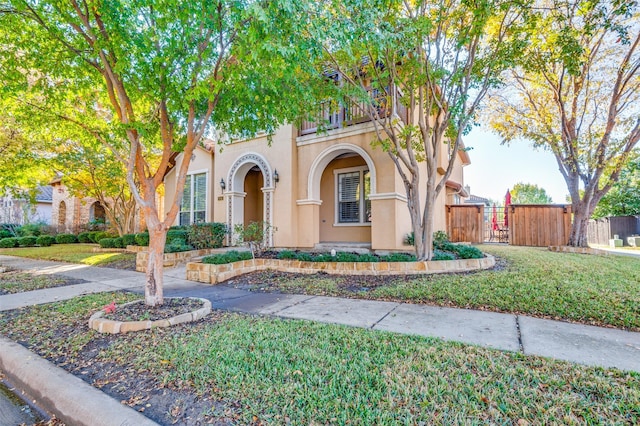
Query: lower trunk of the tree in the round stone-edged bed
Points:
[153, 288]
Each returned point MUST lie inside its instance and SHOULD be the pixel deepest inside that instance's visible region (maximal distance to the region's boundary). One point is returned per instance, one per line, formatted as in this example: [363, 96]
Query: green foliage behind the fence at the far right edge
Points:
[624, 197]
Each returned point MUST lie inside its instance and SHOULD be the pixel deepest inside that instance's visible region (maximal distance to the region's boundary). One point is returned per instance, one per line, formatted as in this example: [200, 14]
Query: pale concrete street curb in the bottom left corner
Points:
[71, 399]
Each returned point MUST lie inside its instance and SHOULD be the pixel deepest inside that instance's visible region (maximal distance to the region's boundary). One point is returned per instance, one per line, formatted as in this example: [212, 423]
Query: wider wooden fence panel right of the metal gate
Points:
[539, 225]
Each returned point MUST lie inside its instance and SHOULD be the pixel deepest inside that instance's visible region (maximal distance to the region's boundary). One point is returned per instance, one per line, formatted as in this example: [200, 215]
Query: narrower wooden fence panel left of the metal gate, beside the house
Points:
[465, 222]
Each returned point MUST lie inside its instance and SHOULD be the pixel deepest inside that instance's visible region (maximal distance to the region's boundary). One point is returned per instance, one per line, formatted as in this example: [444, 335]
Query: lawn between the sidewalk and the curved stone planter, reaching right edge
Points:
[600, 290]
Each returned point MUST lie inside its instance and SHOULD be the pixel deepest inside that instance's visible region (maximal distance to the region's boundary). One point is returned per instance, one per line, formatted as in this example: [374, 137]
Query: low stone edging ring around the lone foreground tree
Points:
[102, 325]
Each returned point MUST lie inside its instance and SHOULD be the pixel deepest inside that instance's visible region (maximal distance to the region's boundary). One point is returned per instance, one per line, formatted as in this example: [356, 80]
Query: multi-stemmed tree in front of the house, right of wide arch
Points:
[436, 60]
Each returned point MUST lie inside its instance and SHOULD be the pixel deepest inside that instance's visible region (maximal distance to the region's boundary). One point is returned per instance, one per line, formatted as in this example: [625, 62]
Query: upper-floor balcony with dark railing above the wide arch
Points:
[333, 115]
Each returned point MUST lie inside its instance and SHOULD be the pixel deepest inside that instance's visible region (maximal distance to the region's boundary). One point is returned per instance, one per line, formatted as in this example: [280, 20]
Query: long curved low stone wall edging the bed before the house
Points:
[213, 274]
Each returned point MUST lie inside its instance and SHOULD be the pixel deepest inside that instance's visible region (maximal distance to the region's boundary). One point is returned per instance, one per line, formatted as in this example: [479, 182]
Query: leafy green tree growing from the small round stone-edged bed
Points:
[148, 78]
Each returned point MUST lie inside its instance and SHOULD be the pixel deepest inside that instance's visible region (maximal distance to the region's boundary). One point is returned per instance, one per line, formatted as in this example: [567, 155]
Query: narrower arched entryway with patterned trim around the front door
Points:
[250, 192]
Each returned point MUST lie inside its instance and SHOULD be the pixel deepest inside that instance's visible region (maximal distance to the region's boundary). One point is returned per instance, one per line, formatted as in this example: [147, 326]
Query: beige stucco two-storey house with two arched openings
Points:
[314, 188]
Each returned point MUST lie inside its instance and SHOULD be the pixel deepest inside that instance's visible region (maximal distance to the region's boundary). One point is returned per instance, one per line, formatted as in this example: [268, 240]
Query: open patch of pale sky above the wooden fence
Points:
[495, 168]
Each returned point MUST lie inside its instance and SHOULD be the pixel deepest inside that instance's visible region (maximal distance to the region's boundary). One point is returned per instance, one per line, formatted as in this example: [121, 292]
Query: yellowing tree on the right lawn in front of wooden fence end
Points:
[577, 93]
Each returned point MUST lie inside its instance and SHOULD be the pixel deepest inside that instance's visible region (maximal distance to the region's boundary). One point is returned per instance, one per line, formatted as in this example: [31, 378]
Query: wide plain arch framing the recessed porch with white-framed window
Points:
[342, 179]
